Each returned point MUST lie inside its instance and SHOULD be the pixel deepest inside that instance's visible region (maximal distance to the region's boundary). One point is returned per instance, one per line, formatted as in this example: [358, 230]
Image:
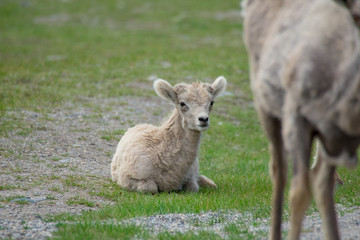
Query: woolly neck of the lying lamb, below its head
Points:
[186, 139]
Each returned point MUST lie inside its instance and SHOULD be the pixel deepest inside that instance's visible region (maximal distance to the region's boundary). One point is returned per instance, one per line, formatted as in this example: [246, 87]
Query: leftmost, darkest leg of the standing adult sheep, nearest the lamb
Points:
[277, 167]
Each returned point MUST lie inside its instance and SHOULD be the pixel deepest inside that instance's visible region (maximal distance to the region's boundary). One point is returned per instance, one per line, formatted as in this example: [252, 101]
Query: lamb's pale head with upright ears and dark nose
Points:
[192, 101]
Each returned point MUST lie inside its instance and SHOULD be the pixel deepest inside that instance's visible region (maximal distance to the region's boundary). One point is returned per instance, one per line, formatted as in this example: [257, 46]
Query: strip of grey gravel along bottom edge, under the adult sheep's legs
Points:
[349, 224]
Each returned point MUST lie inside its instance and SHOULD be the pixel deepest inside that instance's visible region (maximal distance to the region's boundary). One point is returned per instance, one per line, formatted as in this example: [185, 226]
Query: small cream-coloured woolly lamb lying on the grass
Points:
[150, 159]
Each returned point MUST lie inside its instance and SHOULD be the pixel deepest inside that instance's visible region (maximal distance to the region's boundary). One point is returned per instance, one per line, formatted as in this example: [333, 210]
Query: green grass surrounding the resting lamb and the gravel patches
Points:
[58, 52]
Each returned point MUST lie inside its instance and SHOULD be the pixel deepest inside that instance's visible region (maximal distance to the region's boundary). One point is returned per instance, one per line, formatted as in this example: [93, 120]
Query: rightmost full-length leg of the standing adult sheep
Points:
[323, 185]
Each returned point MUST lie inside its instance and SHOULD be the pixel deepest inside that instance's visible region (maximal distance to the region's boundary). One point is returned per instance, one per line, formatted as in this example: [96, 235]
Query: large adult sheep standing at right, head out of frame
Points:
[305, 75]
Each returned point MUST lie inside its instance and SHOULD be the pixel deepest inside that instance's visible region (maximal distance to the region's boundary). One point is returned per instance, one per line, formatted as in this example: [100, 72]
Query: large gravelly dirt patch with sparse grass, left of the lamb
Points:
[48, 170]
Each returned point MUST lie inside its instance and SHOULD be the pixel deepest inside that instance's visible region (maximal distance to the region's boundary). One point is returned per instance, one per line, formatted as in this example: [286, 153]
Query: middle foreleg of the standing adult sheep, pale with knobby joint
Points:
[298, 139]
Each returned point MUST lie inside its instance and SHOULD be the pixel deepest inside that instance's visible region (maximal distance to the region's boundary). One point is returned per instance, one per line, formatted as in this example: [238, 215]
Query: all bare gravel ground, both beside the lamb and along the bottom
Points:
[61, 160]
